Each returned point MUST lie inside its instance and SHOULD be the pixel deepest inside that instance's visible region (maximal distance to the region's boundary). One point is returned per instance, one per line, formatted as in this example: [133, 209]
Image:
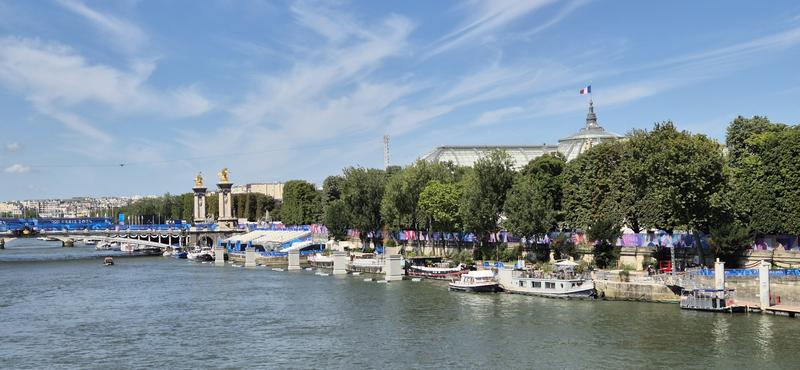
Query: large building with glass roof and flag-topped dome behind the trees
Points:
[570, 146]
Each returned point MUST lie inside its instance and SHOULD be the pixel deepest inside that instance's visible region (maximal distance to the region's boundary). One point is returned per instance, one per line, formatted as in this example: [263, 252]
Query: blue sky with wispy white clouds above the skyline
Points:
[104, 98]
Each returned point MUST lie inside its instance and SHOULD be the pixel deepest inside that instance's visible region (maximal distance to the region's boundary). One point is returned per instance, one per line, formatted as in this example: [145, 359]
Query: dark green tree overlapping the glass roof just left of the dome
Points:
[533, 205]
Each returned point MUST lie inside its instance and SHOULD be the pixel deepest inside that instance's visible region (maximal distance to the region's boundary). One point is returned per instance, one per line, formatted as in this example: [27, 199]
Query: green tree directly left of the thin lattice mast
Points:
[362, 194]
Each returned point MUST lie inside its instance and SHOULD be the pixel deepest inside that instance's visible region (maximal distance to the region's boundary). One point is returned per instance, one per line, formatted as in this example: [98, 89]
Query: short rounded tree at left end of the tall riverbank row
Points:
[300, 203]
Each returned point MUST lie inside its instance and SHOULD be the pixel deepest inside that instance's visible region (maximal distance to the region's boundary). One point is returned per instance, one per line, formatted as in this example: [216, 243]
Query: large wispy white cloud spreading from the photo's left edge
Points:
[58, 81]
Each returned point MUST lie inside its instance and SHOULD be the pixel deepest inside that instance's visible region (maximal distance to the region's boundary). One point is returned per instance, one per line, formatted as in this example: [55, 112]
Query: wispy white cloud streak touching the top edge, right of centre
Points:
[486, 18]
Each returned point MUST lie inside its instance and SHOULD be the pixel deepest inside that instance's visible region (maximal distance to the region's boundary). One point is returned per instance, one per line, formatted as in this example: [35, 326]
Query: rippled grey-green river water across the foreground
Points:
[61, 308]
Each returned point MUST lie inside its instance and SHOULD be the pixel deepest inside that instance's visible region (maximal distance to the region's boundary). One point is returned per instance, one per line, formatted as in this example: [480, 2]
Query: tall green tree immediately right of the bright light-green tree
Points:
[484, 193]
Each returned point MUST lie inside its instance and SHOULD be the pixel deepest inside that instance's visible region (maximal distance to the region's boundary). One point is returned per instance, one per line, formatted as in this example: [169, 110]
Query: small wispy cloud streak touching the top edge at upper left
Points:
[123, 34]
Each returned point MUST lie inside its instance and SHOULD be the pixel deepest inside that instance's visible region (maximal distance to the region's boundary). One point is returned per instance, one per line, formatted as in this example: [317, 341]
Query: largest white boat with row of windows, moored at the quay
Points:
[563, 283]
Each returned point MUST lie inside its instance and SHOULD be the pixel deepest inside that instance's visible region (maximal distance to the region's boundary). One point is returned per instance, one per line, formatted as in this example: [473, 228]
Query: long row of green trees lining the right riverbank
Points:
[661, 178]
